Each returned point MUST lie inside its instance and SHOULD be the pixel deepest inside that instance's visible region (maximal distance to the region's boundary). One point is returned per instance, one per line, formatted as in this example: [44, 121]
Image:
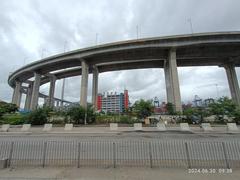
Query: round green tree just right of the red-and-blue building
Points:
[143, 108]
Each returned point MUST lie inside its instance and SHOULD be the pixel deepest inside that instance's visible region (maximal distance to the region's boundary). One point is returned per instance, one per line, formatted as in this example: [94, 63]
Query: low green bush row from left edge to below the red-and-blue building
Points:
[75, 115]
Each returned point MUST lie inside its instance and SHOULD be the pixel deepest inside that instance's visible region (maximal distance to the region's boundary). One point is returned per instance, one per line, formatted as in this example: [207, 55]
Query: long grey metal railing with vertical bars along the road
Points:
[158, 153]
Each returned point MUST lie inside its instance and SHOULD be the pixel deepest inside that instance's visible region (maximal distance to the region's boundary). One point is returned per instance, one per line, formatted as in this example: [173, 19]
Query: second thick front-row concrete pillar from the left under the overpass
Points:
[35, 92]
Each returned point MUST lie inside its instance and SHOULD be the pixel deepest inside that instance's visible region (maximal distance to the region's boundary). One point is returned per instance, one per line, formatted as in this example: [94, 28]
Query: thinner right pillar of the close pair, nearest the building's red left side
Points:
[95, 87]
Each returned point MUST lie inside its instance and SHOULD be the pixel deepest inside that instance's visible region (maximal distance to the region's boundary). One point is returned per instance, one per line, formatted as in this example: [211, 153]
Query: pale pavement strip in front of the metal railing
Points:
[113, 174]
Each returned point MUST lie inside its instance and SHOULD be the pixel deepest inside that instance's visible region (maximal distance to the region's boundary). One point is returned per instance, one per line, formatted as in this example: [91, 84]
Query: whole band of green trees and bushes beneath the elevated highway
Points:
[223, 110]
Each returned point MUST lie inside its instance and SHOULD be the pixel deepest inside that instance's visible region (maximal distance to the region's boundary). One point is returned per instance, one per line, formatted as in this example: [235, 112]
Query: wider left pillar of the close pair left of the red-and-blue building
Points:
[84, 84]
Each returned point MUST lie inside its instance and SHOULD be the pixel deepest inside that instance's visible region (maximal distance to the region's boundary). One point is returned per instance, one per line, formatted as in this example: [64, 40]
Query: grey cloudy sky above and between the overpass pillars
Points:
[30, 29]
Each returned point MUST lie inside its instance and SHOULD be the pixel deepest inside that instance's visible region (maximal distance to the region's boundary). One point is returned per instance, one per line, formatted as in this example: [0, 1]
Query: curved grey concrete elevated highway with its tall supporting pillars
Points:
[218, 49]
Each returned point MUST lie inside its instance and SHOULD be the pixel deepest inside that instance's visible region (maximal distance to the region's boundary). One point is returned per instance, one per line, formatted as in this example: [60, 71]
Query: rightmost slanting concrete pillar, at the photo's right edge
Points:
[233, 83]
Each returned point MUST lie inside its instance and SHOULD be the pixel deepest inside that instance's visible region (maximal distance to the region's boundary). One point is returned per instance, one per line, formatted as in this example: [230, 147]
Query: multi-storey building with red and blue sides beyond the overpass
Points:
[113, 102]
